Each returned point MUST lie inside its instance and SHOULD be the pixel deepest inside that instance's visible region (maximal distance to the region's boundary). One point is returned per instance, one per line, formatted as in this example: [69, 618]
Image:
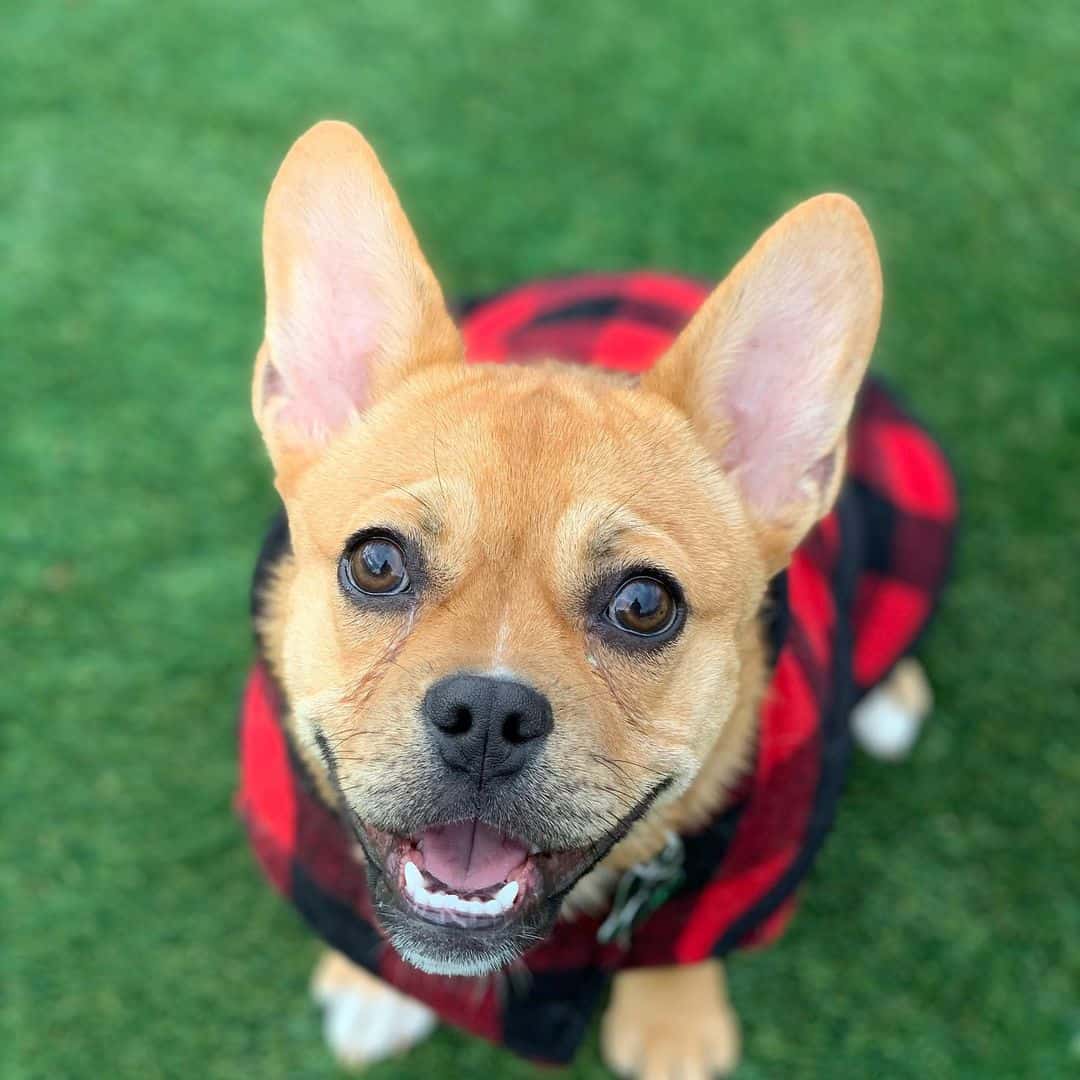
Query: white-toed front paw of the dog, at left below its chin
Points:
[364, 1020]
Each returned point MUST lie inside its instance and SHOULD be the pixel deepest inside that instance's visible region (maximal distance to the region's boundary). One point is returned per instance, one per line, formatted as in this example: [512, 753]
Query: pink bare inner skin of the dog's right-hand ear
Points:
[778, 396]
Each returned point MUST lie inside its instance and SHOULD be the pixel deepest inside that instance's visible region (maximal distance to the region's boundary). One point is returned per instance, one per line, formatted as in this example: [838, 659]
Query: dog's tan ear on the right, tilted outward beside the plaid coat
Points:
[769, 368]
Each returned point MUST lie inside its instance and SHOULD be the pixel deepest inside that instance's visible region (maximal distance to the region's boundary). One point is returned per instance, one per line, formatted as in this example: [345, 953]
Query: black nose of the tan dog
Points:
[487, 727]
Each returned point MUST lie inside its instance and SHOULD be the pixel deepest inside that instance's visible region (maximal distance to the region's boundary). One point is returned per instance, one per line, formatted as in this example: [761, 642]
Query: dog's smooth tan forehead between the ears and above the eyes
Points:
[522, 457]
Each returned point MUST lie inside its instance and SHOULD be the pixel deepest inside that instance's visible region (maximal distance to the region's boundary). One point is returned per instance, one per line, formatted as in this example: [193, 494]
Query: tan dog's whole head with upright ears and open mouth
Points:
[521, 596]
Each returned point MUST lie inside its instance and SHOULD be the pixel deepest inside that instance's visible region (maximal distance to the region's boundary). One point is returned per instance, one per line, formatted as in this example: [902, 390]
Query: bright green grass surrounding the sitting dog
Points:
[941, 935]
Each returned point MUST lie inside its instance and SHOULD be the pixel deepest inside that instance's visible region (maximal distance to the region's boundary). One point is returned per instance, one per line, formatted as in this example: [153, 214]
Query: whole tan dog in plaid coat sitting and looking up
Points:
[538, 641]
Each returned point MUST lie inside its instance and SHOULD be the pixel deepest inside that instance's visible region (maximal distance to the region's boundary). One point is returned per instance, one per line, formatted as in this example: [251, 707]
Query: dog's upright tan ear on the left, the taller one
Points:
[353, 306]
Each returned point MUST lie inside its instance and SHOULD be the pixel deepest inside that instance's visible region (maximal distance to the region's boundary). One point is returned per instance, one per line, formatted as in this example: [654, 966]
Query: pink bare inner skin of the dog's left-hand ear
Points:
[325, 337]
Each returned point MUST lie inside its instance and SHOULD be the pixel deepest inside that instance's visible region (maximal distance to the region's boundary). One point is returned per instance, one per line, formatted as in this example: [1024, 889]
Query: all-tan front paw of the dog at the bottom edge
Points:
[668, 1023]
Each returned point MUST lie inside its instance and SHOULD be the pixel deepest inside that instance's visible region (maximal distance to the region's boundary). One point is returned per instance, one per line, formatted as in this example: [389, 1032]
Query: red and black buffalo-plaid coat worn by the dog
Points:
[855, 600]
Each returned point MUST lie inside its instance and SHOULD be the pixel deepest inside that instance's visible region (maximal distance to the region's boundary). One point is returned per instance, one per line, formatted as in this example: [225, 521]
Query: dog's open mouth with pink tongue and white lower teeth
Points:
[470, 876]
